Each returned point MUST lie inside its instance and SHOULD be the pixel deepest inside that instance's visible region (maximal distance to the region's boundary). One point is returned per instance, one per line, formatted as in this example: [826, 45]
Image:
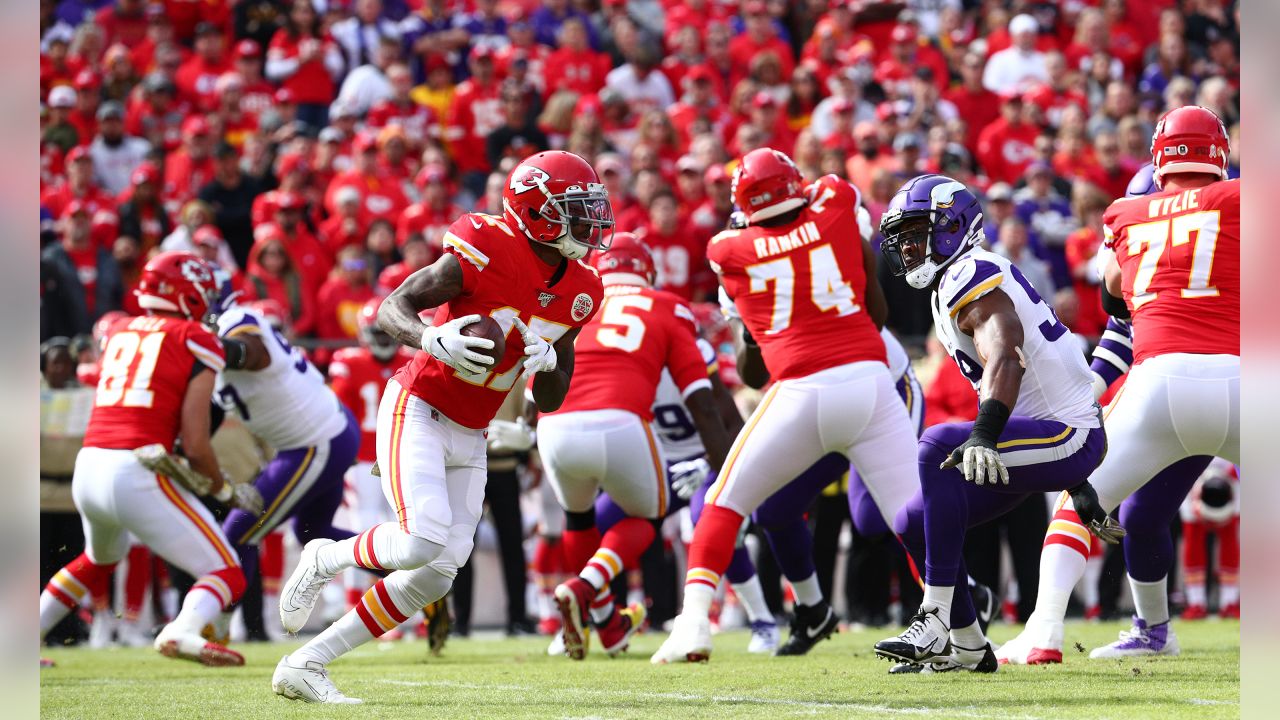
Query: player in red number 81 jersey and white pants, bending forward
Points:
[157, 385]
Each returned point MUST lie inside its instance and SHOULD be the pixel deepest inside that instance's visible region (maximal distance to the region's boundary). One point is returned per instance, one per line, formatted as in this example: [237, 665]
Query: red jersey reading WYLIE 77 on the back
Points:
[1180, 253]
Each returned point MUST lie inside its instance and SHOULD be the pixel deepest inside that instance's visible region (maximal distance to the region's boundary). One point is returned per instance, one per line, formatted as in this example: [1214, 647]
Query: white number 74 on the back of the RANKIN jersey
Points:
[829, 289]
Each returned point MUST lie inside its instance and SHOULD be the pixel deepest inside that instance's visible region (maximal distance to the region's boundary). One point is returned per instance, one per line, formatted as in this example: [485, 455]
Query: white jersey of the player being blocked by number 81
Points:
[286, 404]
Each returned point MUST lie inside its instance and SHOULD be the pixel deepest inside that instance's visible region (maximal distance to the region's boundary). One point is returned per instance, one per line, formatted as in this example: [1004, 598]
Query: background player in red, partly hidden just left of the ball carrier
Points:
[358, 377]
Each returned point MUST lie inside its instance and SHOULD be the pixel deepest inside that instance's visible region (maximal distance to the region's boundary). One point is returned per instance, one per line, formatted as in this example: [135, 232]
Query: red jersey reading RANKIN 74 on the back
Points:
[799, 286]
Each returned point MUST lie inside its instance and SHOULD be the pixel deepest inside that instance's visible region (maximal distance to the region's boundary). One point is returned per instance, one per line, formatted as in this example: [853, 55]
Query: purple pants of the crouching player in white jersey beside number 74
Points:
[1049, 457]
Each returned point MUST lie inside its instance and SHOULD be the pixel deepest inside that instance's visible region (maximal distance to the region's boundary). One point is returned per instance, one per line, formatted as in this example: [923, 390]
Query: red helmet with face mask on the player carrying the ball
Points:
[557, 199]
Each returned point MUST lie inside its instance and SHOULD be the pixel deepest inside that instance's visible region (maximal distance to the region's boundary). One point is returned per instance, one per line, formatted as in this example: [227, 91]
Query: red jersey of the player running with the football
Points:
[501, 279]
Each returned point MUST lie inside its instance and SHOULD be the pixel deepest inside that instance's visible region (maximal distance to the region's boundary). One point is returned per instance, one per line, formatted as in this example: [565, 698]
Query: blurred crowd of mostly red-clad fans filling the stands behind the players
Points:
[317, 151]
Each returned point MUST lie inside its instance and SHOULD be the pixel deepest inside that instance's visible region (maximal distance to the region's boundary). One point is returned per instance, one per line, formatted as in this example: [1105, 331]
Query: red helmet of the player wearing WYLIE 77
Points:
[1190, 140]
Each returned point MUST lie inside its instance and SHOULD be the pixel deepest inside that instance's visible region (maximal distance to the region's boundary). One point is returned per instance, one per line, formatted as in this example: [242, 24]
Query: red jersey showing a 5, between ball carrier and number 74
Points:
[620, 356]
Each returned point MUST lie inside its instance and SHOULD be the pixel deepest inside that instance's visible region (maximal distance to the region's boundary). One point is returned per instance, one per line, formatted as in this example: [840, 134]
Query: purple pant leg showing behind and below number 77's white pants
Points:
[1149, 513]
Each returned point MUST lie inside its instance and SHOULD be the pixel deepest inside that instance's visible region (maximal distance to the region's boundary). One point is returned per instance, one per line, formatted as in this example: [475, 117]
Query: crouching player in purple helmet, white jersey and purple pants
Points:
[1039, 427]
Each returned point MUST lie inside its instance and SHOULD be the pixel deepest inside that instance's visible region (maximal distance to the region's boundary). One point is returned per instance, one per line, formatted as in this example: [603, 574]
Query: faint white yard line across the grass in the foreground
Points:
[717, 699]
